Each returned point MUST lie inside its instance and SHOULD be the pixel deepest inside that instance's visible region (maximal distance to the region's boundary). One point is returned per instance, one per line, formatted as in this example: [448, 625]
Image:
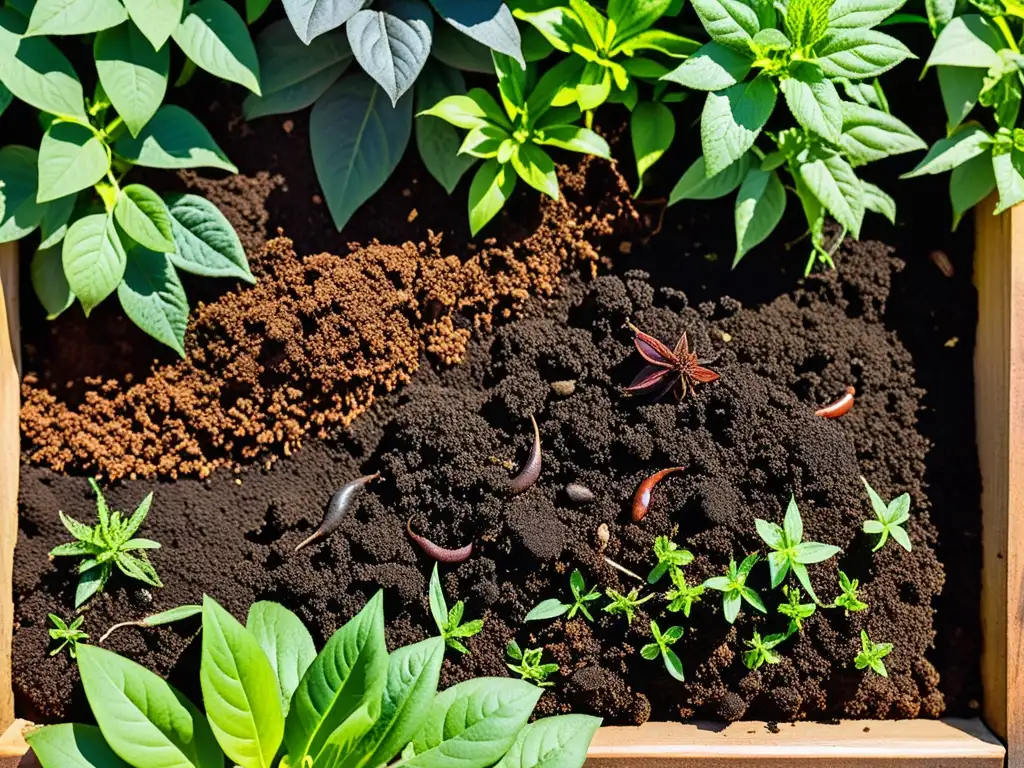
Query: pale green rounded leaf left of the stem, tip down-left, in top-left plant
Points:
[71, 159]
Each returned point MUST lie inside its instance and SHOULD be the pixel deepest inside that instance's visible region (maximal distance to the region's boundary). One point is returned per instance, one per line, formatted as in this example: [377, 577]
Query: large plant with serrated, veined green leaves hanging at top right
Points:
[755, 53]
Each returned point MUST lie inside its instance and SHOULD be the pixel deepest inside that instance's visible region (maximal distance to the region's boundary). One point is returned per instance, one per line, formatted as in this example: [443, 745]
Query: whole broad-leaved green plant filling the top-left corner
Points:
[122, 238]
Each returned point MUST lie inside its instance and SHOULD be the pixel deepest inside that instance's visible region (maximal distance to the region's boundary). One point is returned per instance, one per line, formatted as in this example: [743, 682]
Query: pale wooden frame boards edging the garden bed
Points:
[921, 744]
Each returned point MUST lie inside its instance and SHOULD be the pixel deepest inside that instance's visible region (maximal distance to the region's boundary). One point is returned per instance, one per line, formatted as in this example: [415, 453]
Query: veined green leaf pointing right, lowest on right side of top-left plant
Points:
[205, 242]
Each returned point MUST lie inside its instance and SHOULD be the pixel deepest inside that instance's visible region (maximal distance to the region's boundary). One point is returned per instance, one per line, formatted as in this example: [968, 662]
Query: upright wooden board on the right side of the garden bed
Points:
[1000, 412]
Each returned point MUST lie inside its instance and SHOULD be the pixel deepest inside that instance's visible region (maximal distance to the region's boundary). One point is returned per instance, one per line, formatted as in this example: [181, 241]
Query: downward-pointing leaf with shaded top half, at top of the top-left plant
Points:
[134, 75]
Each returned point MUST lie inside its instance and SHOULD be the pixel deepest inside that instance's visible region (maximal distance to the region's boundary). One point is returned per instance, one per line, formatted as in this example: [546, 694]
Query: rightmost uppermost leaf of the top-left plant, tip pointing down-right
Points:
[217, 39]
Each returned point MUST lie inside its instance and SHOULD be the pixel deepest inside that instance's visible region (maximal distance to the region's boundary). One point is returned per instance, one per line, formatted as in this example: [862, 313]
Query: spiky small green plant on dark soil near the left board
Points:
[108, 544]
